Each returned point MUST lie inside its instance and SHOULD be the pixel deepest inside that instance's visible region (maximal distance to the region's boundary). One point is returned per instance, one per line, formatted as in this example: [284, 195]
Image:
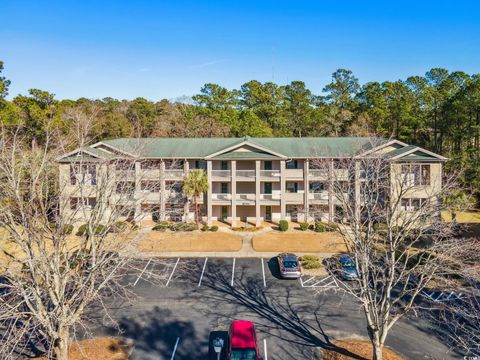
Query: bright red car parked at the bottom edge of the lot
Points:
[243, 343]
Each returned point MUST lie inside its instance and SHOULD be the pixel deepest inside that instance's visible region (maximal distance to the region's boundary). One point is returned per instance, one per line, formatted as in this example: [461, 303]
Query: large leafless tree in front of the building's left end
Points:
[50, 277]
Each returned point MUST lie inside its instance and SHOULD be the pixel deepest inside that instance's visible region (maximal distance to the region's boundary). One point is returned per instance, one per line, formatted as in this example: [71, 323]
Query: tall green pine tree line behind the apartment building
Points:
[439, 111]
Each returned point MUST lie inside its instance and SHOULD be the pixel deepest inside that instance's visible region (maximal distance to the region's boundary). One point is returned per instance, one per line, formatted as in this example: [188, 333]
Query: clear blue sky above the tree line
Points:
[166, 49]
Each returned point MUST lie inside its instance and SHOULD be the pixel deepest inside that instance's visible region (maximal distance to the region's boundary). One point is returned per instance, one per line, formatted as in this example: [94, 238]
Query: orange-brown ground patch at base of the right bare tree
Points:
[356, 349]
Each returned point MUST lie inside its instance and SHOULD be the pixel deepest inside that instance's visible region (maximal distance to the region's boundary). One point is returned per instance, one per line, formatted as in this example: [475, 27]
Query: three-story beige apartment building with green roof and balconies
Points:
[250, 179]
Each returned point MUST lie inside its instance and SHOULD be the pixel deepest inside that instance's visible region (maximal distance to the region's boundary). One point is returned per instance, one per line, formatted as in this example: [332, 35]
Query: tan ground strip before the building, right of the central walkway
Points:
[299, 241]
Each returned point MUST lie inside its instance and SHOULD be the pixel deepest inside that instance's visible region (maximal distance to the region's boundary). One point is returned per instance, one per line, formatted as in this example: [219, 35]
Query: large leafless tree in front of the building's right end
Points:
[390, 221]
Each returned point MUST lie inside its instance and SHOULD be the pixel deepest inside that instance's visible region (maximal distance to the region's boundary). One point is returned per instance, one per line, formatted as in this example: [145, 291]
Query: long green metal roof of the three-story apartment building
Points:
[260, 148]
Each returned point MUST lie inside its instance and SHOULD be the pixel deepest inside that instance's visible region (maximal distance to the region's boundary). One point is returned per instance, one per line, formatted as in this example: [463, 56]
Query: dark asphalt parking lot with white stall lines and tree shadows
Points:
[182, 304]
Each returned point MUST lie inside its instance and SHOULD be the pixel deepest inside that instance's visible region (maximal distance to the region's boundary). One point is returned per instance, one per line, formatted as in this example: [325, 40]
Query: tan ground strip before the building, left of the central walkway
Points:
[194, 241]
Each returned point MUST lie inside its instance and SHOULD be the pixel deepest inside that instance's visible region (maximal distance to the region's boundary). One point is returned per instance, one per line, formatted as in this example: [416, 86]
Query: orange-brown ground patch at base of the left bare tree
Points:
[106, 348]
